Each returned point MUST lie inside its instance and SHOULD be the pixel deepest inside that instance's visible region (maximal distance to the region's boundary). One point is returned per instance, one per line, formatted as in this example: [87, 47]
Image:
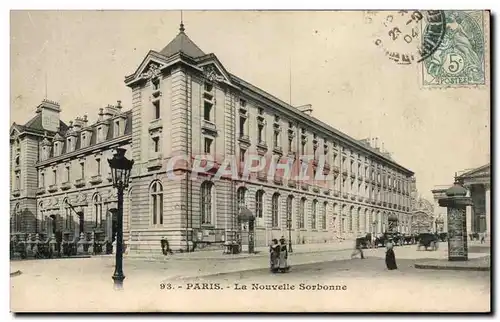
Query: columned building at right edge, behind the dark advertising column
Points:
[478, 184]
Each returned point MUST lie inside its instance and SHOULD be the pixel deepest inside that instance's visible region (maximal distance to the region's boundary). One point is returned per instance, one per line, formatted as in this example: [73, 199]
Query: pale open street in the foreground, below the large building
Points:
[85, 284]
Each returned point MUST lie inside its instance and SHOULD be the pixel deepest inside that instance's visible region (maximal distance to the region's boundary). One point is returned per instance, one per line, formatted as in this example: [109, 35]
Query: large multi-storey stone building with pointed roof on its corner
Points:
[185, 103]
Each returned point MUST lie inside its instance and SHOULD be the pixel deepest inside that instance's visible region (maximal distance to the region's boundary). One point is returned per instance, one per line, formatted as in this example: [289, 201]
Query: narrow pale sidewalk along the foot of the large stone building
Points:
[259, 252]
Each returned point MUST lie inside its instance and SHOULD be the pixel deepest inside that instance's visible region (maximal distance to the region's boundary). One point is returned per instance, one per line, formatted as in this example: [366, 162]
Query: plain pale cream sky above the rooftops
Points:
[80, 59]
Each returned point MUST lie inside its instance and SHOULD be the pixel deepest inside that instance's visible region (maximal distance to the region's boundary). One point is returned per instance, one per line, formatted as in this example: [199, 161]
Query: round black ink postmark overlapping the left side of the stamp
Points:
[408, 36]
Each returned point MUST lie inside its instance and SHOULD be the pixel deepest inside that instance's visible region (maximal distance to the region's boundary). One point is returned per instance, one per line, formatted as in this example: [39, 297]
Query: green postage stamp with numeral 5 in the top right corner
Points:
[460, 58]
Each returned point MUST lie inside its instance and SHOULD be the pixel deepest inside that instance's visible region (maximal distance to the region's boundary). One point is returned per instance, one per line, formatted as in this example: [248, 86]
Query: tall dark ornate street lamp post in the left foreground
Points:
[120, 172]
